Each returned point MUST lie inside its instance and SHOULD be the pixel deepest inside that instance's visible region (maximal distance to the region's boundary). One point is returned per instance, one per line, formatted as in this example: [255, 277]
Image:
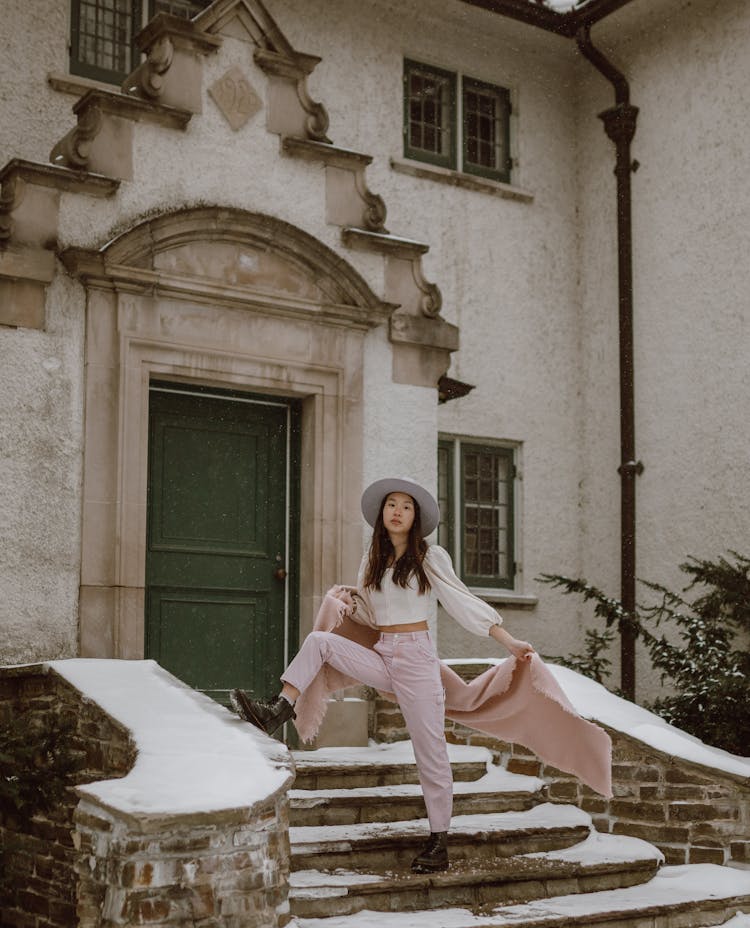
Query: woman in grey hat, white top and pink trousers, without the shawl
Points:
[399, 580]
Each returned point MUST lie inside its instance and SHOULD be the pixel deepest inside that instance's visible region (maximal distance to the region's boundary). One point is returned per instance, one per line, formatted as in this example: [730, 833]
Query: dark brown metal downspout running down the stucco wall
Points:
[619, 124]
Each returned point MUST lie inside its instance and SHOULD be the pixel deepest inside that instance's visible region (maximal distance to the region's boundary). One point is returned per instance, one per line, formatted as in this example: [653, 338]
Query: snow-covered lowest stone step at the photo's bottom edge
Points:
[691, 896]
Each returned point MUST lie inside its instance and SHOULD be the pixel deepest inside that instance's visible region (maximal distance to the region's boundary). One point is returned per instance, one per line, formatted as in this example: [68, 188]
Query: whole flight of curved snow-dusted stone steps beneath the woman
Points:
[514, 856]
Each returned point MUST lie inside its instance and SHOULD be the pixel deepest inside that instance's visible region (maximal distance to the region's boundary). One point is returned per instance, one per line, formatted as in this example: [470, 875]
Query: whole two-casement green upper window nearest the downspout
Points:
[464, 130]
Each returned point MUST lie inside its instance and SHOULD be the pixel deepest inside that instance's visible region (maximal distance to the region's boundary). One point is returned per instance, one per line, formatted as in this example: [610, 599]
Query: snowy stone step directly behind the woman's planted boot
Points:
[388, 845]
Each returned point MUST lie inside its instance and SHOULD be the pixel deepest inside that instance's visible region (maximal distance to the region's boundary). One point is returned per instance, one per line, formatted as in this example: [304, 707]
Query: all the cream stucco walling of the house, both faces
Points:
[532, 285]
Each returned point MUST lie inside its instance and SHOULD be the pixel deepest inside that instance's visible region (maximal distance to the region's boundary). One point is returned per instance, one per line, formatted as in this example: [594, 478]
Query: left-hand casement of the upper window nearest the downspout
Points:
[429, 114]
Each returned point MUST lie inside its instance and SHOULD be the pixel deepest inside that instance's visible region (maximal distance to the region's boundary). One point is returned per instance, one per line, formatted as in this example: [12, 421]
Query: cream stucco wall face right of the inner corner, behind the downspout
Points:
[689, 73]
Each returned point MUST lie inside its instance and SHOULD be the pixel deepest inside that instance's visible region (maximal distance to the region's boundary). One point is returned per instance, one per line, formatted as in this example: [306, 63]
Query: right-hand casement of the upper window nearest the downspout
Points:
[486, 130]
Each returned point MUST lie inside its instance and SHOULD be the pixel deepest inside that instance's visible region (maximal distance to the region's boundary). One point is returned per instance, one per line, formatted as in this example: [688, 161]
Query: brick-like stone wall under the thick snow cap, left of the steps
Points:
[91, 866]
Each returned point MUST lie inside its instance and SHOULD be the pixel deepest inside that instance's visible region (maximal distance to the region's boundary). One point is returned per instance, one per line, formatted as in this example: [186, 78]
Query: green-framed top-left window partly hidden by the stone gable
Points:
[102, 33]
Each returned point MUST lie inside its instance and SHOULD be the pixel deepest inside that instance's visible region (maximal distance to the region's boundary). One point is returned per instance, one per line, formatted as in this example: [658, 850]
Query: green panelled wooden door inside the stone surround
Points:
[220, 496]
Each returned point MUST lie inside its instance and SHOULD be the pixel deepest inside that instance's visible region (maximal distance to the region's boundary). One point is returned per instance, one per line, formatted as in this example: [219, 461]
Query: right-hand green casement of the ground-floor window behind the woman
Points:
[487, 517]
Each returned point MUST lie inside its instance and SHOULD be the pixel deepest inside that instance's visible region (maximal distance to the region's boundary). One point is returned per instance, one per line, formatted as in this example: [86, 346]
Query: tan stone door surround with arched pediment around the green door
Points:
[224, 299]
